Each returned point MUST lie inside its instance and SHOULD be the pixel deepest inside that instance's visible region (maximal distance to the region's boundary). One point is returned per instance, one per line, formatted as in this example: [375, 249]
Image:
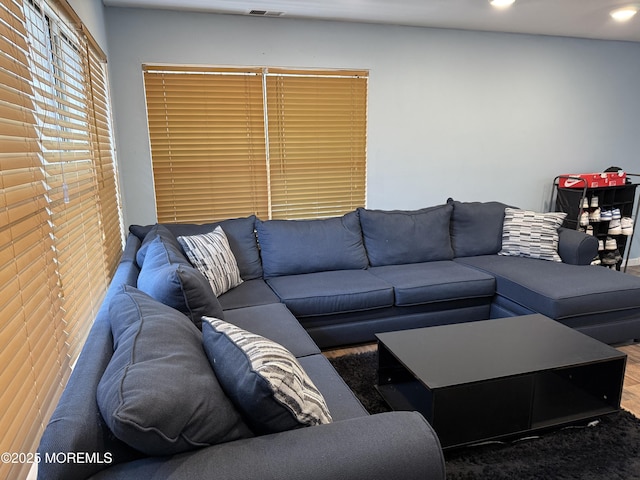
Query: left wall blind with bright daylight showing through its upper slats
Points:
[64, 114]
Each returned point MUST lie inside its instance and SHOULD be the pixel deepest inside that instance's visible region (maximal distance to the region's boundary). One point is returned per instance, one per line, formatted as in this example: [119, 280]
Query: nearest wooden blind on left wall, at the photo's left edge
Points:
[31, 333]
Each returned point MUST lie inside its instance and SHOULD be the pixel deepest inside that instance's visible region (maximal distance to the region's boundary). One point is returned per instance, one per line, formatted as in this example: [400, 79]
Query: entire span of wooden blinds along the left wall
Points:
[52, 239]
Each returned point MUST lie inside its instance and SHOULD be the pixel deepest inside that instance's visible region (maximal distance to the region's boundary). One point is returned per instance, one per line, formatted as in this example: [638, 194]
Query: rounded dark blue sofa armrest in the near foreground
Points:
[388, 445]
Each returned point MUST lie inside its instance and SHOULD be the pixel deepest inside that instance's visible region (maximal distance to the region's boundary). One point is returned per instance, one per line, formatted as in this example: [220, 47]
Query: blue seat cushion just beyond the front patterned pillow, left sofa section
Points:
[275, 322]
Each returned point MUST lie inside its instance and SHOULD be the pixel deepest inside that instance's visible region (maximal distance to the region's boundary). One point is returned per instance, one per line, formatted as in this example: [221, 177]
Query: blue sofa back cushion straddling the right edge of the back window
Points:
[401, 236]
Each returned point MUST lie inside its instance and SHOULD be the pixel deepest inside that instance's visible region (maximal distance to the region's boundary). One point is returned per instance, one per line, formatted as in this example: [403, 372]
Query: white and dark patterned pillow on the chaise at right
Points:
[531, 234]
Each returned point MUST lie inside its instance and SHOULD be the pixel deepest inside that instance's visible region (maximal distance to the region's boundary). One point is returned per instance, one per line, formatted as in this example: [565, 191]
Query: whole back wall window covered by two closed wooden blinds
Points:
[276, 143]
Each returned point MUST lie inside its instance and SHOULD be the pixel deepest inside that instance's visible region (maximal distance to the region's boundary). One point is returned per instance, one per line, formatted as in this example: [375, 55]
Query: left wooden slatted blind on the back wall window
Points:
[207, 144]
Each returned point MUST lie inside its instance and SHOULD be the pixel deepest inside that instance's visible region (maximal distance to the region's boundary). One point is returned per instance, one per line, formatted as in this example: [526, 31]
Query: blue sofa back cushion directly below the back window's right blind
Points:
[291, 247]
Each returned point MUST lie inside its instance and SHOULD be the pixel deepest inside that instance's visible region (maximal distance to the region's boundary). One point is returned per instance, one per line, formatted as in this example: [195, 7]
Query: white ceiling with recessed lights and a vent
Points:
[571, 18]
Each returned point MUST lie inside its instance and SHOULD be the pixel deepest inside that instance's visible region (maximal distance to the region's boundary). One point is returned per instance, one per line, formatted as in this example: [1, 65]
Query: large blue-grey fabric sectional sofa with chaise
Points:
[310, 285]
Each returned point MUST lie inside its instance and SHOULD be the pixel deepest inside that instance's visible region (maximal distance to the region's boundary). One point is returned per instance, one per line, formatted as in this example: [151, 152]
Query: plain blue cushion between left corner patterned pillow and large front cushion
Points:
[168, 277]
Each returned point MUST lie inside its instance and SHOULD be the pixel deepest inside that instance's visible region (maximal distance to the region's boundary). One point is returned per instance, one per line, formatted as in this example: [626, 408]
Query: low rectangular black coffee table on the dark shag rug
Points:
[484, 380]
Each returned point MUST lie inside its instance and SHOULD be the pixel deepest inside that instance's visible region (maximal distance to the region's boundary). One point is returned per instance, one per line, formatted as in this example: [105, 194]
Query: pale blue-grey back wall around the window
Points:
[471, 115]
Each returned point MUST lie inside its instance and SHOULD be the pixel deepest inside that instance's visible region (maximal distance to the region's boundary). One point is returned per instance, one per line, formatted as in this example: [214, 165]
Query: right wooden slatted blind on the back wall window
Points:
[317, 143]
